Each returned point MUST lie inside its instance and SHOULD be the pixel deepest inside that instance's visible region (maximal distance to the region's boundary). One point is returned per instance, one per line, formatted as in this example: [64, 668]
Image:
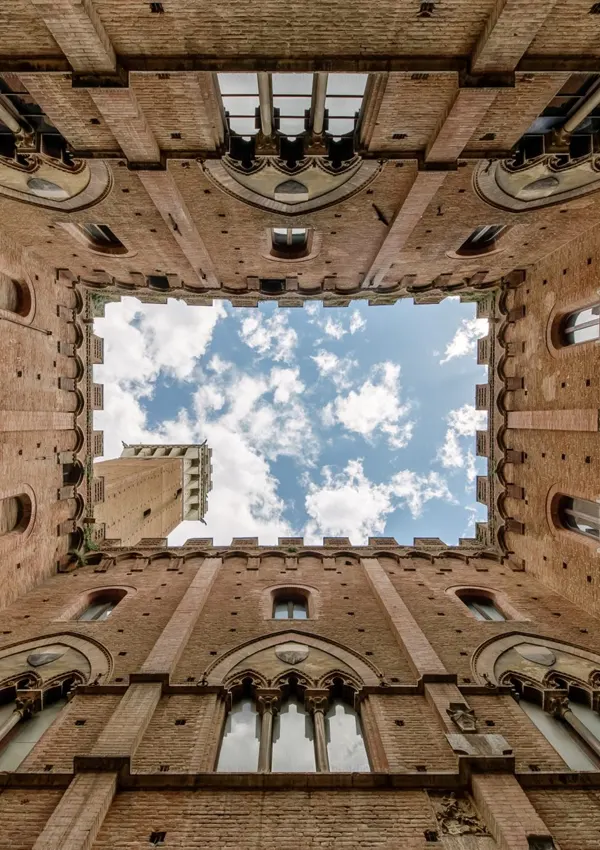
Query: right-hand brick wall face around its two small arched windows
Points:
[564, 380]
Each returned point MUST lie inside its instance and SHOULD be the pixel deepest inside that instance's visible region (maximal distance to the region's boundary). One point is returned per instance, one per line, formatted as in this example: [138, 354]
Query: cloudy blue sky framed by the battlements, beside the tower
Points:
[349, 421]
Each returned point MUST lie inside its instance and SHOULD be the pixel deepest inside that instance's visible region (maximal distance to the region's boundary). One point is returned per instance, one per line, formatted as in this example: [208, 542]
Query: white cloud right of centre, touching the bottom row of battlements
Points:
[349, 505]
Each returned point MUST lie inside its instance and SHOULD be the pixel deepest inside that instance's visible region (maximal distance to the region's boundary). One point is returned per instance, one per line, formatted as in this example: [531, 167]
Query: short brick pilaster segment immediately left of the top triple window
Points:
[124, 116]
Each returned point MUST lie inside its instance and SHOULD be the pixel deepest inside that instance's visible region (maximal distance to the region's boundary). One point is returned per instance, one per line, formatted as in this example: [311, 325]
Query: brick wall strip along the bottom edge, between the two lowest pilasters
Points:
[240, 819]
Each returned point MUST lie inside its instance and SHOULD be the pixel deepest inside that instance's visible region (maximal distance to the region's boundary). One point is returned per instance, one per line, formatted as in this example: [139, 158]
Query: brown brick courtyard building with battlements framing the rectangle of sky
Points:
[375, 151]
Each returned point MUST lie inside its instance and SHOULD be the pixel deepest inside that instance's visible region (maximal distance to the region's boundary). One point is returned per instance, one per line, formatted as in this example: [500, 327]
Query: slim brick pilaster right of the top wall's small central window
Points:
[422, 192]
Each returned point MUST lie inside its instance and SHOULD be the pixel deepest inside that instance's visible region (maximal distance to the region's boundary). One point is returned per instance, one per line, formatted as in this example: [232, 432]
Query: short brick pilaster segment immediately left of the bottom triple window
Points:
[127, 724]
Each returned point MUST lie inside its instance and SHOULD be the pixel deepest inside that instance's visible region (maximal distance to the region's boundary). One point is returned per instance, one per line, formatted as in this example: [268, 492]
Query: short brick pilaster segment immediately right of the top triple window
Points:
[463, 118]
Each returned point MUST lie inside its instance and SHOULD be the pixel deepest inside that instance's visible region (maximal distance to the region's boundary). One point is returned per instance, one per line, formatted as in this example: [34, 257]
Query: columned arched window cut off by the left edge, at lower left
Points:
[24, 724]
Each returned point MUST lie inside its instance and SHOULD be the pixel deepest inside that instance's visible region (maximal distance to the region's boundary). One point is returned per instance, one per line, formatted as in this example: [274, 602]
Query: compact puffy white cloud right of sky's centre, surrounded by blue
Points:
[376, 408]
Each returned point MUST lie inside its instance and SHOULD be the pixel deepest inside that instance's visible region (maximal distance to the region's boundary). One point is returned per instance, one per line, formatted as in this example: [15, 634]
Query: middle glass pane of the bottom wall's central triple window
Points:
[293, 739]
